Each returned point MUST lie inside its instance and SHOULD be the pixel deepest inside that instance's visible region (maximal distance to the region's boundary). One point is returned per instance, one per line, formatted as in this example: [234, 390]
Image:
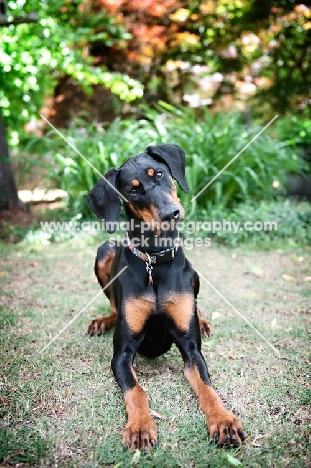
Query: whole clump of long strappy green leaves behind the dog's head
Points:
[209, 141]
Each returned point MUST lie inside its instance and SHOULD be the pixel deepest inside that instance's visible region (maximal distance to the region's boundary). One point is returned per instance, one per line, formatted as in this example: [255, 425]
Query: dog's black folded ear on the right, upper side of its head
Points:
[175, 159]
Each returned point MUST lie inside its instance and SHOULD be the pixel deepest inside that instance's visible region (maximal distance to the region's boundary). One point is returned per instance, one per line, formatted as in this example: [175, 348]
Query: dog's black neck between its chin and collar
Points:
[149, 240]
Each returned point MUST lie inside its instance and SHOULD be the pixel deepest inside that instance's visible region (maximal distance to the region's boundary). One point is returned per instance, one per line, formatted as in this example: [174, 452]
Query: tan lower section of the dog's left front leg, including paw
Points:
[140, 430]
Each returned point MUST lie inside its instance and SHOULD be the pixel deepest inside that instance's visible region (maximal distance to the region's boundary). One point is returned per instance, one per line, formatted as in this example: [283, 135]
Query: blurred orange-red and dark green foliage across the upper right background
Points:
[207, 50]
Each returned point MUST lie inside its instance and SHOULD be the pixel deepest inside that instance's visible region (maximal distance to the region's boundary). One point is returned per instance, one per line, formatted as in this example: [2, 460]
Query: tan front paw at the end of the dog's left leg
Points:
[140, 433]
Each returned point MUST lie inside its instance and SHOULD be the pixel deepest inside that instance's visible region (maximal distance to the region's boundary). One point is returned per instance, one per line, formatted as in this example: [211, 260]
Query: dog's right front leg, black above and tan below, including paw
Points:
[224, 428]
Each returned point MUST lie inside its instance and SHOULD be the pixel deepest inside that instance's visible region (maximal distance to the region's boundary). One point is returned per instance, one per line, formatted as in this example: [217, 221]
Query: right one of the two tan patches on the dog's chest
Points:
[180, 308]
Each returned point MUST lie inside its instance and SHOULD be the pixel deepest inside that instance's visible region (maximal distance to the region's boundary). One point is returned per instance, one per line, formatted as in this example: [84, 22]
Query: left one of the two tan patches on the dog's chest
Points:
[137, 310]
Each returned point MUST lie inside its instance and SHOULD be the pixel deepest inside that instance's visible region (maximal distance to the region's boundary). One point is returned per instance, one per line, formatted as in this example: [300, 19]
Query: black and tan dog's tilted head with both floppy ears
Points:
[146, 183]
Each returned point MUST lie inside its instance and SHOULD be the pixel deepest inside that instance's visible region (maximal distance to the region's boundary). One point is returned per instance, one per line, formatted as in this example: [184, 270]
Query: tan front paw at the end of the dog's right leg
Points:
[225, 429]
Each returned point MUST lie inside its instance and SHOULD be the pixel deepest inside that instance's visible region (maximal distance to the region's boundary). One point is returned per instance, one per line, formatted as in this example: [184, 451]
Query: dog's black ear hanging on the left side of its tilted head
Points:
[103, 200]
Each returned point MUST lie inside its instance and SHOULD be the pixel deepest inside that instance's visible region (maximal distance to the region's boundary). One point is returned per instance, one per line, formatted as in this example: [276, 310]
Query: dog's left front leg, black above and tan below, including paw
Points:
[140, 431]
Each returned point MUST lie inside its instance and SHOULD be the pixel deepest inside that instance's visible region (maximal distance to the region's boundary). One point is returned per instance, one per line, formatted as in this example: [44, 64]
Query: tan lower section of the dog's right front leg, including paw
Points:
[219, 420]
